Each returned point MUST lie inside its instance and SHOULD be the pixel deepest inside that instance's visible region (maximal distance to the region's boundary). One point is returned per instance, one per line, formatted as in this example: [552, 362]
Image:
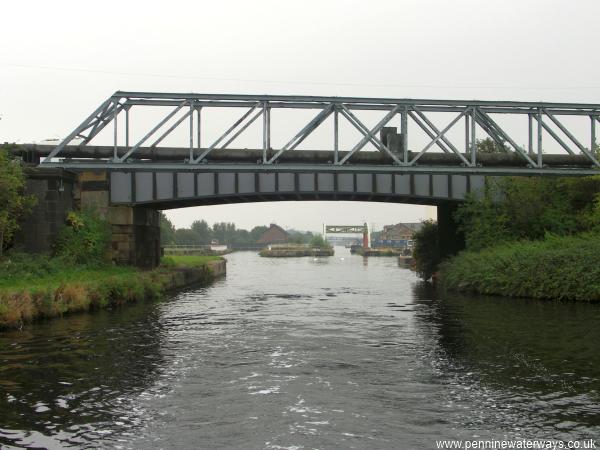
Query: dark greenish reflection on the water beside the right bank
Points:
[540, 359]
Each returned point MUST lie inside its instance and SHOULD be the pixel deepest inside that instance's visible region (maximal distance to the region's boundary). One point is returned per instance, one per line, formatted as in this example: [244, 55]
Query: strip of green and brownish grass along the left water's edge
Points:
[33, 288]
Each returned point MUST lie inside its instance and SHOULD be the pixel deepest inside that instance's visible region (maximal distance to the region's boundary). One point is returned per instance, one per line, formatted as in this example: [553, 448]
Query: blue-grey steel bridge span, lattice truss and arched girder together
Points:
[144, 172]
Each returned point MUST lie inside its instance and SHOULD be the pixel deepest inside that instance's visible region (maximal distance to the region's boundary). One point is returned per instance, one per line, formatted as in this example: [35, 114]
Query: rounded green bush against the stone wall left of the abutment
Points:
[85, 239]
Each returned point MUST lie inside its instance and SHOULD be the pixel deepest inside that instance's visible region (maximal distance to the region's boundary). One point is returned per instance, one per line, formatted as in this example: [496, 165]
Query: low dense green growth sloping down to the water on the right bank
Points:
[558, 267]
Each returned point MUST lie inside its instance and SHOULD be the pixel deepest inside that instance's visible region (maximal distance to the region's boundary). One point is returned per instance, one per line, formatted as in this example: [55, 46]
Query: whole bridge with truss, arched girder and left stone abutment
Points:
[123, 166]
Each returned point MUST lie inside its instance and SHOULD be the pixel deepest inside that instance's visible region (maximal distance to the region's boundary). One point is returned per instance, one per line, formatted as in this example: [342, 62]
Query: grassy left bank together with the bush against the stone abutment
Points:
[78, 275]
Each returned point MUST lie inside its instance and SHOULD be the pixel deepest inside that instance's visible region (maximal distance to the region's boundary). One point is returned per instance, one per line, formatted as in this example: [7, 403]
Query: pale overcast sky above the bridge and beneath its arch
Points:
[59, 60]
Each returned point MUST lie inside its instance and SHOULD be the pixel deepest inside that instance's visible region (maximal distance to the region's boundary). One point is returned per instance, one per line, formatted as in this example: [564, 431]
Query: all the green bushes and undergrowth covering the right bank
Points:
[529, 237]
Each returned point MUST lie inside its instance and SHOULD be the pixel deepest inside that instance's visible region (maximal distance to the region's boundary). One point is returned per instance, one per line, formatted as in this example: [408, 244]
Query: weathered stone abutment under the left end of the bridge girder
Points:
[135, 230]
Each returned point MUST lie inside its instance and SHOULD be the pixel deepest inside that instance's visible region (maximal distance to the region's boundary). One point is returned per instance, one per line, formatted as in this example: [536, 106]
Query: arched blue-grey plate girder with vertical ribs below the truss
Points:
[166, 190]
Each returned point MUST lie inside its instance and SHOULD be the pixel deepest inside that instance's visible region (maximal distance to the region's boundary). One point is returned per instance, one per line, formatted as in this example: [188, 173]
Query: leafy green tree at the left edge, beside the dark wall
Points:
[14, 204]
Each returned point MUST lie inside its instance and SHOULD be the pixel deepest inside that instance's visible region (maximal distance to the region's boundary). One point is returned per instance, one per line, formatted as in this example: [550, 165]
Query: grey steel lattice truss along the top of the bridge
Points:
[188, 108]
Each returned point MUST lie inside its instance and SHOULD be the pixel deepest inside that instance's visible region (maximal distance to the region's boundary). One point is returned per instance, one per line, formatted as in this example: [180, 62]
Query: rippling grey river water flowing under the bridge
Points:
[304, 353]
